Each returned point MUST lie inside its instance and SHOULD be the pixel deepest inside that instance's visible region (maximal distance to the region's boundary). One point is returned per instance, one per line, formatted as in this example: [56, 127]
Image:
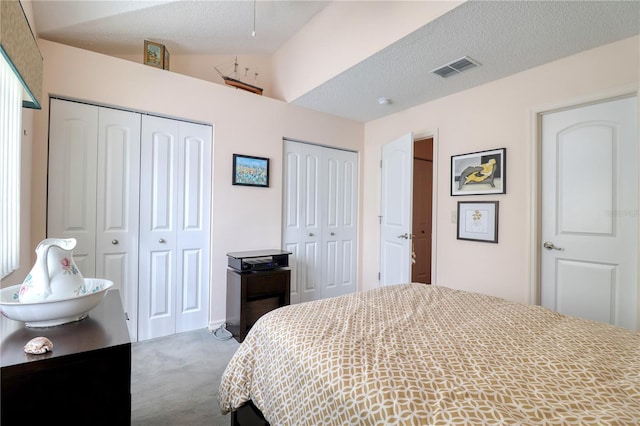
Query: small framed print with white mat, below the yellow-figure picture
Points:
[478, 221]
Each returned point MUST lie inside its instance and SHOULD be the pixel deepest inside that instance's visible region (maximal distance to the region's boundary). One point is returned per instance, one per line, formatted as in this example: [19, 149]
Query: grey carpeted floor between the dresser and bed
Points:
[174, 379]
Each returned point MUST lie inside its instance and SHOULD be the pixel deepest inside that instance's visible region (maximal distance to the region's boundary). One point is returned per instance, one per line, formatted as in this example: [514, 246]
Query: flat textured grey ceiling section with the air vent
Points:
[504, 37]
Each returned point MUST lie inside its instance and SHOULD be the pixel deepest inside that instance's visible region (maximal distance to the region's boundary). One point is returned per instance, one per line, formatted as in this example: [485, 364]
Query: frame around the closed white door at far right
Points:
[535, 181]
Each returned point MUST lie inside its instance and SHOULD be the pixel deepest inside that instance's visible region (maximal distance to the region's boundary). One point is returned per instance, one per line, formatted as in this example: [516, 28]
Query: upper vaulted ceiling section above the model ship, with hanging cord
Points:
[185, 27]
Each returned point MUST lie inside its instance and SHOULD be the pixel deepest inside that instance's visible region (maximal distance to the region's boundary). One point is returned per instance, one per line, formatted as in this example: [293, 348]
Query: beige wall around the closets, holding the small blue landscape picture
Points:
[244, 218]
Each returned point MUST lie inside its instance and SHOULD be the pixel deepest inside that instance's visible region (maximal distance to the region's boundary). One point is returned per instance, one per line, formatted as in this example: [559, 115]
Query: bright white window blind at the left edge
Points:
[10, 125]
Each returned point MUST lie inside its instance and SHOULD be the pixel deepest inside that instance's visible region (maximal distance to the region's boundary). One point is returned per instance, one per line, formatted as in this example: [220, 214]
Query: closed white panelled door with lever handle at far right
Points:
[589, 212]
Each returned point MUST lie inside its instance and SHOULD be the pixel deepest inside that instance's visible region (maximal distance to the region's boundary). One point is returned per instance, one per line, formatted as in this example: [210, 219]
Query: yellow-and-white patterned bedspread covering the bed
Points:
[429, 355]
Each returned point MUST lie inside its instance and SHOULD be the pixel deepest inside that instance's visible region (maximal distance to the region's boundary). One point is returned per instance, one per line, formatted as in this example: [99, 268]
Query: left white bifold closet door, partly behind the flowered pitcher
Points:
[94, 160]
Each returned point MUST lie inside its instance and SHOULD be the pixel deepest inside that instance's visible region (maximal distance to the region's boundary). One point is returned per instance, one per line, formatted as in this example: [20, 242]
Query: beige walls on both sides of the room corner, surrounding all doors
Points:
[498, 114]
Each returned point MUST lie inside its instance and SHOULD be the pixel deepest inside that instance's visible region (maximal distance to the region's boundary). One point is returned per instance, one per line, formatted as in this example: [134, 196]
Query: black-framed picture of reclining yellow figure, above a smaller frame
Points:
[478, 173]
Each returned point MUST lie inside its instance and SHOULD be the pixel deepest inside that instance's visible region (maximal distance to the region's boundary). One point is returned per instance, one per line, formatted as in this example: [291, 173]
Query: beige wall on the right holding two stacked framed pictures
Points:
[494, 115]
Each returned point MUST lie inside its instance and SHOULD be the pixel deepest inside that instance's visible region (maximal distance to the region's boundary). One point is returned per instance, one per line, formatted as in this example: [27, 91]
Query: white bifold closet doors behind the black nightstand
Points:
[320, 220]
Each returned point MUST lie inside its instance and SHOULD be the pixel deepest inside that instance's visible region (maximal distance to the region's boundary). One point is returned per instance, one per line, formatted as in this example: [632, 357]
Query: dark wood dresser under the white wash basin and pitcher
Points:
[85, 380]
